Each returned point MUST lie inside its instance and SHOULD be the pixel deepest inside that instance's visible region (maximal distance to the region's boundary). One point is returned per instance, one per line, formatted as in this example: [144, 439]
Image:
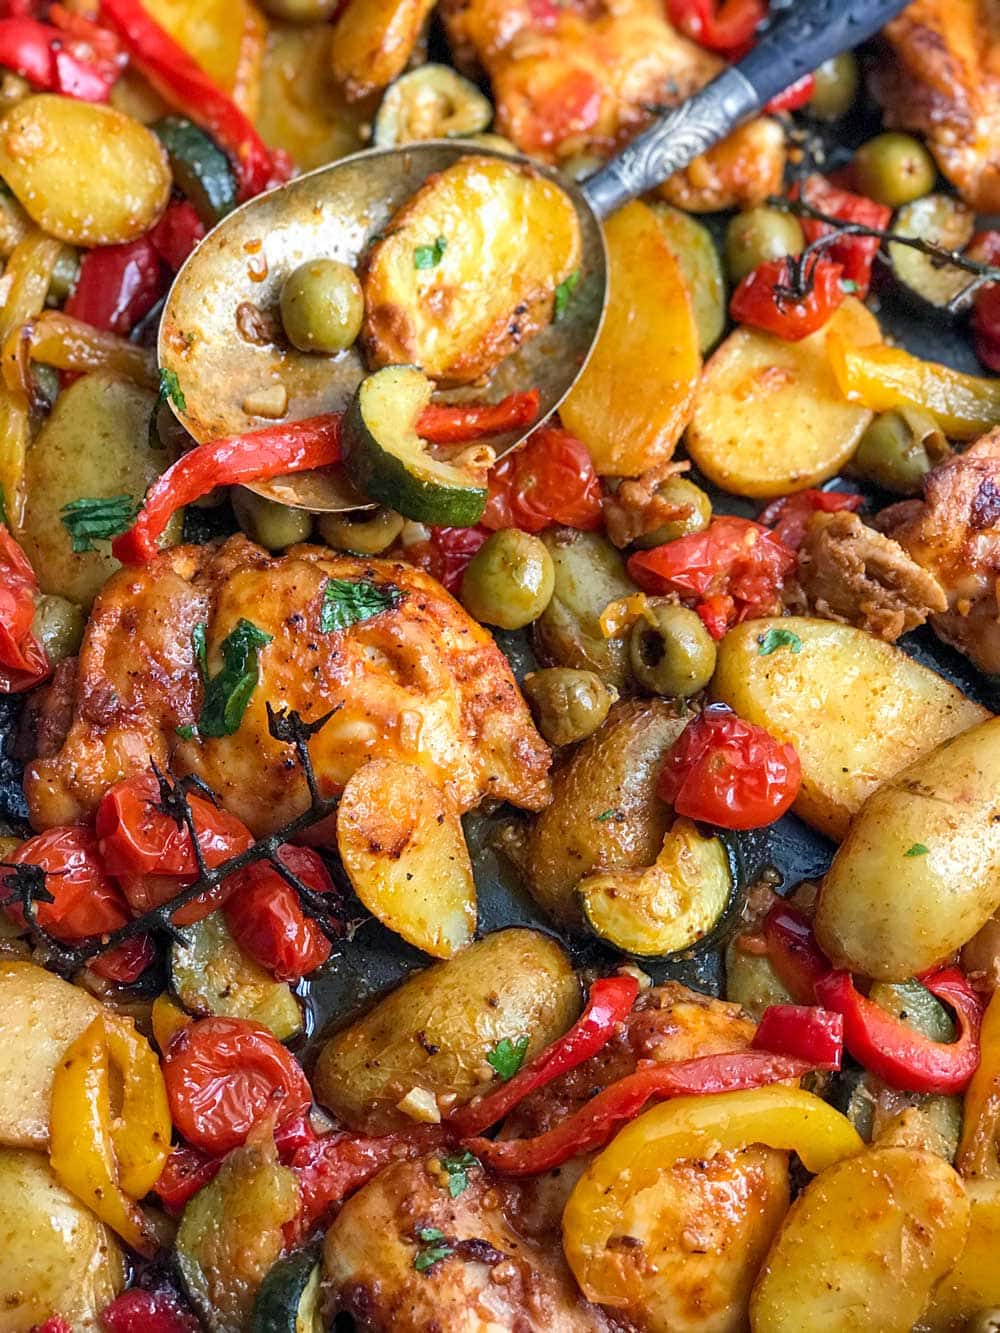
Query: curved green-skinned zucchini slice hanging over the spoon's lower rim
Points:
[387, 461]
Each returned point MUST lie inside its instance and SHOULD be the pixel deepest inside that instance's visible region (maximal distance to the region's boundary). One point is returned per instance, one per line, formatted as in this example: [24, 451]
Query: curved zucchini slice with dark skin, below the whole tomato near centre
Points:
[667, 907]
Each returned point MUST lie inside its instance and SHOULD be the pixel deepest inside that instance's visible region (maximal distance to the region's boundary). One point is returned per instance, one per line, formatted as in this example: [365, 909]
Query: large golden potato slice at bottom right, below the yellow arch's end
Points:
[863, 1246]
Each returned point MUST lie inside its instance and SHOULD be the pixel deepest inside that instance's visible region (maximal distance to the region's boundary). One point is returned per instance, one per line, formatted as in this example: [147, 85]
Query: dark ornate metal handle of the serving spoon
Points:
[809, 34]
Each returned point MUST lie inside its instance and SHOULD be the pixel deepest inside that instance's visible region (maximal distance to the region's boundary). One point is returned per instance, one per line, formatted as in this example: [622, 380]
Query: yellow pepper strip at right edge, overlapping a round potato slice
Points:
[885, 378]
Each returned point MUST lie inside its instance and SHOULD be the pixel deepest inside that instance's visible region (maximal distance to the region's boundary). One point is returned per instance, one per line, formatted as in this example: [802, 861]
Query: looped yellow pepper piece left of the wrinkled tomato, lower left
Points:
[111, 1160]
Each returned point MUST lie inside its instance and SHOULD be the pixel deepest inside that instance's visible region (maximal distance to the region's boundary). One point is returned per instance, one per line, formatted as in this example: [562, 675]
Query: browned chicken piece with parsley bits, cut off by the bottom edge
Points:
[495, 1279]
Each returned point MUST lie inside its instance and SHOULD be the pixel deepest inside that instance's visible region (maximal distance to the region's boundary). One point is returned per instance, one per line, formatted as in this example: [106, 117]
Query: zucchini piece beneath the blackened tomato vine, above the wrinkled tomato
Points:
[213, 975]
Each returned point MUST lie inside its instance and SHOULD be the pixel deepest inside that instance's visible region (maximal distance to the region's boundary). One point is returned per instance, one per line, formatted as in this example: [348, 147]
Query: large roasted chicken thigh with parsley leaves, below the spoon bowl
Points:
[422, 682]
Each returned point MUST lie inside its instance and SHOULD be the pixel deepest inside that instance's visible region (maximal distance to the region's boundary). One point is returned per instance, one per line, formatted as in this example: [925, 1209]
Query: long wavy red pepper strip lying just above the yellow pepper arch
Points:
[597, 1122]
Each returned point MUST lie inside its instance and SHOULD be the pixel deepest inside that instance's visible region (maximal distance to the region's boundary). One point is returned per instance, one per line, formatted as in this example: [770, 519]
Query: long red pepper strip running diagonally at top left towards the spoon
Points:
[185, 85]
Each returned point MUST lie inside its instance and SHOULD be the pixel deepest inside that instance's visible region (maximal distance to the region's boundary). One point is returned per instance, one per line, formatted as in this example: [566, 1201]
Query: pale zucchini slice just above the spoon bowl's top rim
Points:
[431, 102]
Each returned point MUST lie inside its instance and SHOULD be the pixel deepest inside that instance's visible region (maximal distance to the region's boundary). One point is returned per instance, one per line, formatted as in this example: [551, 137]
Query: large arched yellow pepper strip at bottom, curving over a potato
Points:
[698, 1128]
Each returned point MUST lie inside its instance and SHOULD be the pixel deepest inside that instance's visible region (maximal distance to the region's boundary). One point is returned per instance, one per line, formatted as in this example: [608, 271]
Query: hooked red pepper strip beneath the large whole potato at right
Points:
[897, 1054]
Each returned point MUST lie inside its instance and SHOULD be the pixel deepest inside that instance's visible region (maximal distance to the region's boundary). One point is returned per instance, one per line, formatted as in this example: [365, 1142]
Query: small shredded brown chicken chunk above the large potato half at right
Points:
[853, 574]
